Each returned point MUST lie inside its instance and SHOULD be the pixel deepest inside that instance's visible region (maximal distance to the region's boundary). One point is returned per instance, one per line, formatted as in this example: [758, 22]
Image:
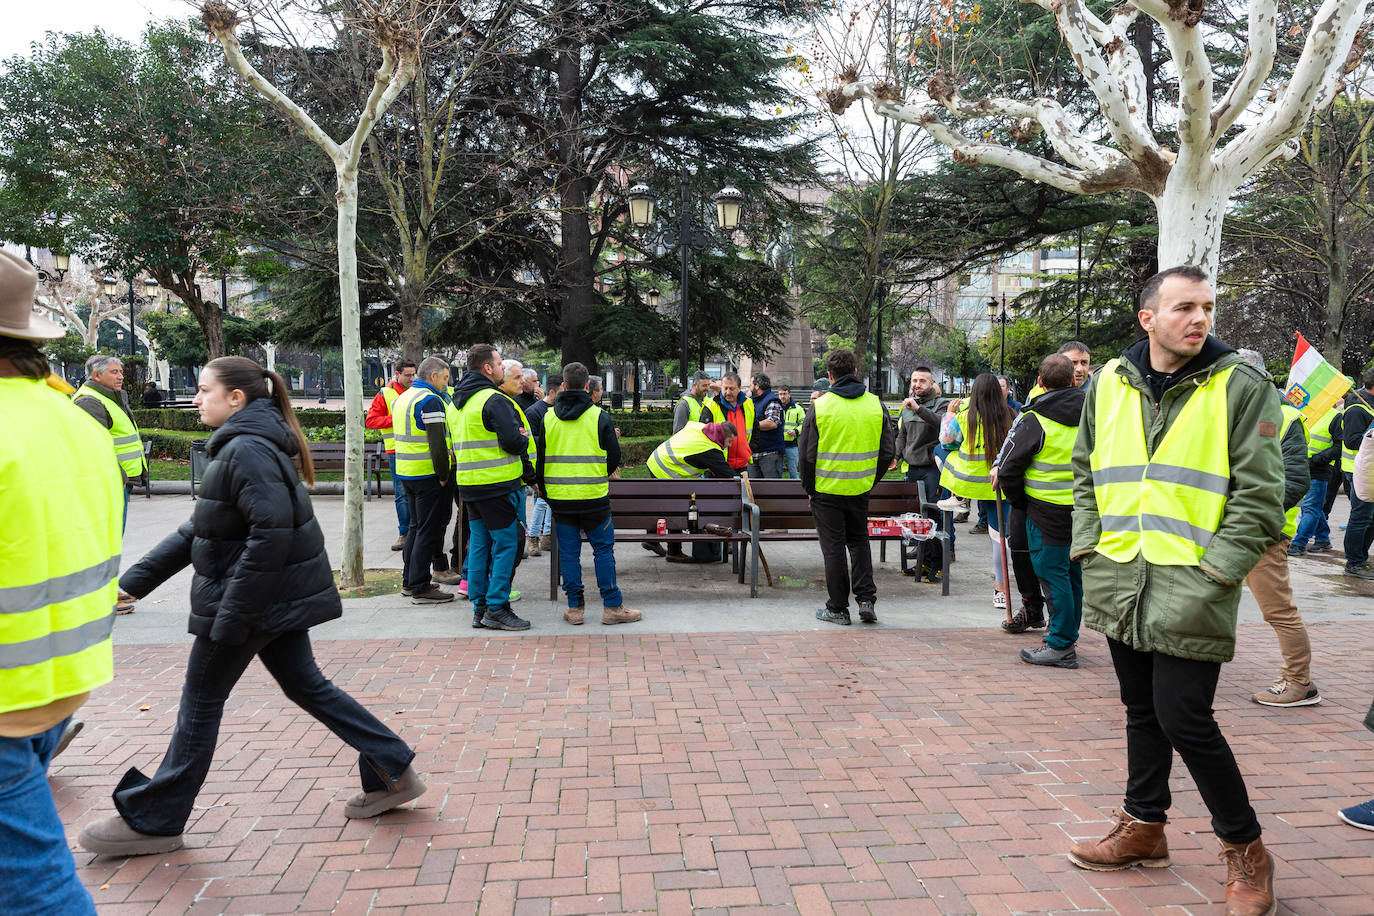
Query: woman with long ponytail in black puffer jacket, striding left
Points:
[262, 582]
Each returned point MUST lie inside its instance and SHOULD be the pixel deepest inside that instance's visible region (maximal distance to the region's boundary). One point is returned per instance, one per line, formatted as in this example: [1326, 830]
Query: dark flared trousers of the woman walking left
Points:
[161, 805]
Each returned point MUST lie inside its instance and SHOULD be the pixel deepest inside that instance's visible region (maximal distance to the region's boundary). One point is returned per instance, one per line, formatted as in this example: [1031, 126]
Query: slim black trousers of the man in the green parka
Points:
[1169, 708]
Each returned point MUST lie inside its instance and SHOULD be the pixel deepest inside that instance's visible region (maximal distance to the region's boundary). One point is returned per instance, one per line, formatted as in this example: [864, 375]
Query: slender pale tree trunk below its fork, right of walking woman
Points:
[351, 565]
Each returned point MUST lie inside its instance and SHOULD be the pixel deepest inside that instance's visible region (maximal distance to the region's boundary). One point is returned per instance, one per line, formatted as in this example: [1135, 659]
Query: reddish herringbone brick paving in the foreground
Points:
[839, 772]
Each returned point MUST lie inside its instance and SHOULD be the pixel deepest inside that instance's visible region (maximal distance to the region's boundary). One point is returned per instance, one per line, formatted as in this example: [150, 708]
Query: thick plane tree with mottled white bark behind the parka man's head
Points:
[1225, 135]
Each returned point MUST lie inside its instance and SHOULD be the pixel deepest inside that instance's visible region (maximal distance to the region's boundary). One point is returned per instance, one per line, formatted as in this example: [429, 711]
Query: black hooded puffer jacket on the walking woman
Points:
[258, 551]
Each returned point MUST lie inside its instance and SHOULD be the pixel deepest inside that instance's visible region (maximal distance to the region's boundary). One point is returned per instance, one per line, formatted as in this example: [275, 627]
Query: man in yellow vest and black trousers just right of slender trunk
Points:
[424, 463]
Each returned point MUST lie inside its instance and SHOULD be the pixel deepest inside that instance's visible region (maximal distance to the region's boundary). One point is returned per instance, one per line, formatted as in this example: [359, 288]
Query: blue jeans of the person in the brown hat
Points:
[38, 874]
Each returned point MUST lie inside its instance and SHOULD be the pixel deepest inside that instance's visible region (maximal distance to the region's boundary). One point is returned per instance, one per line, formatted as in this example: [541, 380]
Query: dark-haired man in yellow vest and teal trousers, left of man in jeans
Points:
[493, 462]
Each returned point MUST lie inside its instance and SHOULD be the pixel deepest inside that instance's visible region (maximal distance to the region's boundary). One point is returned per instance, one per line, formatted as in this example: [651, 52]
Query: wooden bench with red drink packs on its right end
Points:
[782, 513]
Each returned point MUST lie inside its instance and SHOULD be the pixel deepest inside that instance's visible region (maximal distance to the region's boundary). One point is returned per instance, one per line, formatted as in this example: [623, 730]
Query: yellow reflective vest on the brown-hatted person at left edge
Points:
[61, 558]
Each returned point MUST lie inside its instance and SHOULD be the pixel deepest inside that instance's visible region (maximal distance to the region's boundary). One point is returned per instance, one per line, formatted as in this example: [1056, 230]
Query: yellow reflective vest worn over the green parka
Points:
[1166, 506]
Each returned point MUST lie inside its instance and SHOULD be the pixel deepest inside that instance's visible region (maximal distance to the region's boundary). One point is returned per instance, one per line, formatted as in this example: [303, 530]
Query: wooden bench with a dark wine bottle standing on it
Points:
[637, 506]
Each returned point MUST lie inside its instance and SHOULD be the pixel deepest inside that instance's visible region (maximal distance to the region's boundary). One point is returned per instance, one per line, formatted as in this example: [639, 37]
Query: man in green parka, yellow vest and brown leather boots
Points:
[1177, 492]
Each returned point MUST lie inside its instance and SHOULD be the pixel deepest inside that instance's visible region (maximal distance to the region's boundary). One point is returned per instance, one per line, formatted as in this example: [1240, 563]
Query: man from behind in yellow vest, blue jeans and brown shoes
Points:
[576, 457]
